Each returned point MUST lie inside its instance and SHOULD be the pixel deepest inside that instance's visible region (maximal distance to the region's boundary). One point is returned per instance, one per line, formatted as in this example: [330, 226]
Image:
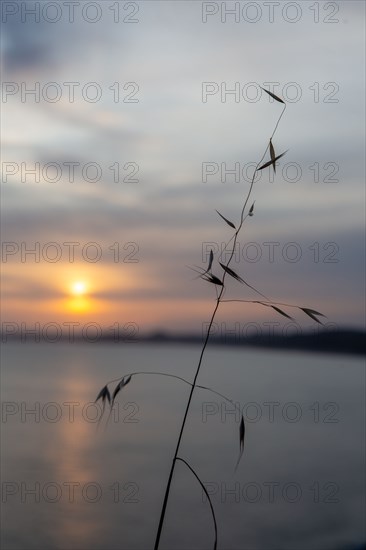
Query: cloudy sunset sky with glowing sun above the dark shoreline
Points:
[147, 117]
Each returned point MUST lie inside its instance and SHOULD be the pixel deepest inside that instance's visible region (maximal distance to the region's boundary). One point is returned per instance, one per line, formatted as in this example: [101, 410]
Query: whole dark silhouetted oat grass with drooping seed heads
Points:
[219, 280]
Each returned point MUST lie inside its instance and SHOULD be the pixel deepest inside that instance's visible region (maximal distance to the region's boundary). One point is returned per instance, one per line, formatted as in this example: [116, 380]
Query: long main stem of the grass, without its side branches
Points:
[218, 300]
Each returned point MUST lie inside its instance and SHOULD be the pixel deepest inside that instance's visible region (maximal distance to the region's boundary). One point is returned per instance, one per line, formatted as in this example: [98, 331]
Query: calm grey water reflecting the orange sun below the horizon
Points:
[300, 484]
